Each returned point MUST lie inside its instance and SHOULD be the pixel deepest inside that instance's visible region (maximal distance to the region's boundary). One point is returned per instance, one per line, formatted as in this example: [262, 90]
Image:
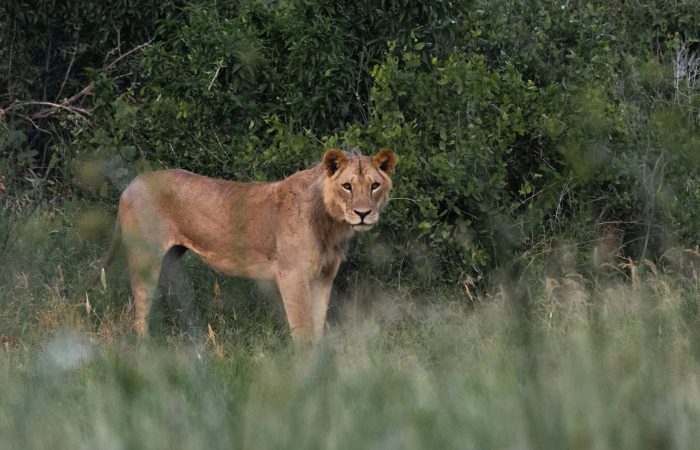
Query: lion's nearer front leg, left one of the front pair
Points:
[296, 296]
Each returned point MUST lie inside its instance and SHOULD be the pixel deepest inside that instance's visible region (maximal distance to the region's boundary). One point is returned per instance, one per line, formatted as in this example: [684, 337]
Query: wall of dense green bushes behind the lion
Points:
[513, 122]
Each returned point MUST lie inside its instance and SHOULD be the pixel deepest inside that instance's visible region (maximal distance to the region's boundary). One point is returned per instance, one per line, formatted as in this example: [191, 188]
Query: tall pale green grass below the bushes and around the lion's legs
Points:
[537, 362]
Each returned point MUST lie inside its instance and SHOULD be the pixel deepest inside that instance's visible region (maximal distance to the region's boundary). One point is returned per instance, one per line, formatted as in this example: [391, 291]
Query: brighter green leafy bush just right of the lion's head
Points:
[461, 121]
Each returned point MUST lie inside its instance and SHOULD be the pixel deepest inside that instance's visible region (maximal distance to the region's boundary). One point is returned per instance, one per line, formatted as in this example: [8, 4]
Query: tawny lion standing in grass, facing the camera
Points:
[291, 231]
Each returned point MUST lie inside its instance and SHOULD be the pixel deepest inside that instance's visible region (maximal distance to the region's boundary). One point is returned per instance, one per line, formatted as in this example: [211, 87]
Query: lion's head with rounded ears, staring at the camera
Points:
[356, 187]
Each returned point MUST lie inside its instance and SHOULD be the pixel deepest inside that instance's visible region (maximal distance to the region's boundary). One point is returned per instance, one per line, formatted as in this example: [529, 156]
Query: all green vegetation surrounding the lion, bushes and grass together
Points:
[537, 269]
